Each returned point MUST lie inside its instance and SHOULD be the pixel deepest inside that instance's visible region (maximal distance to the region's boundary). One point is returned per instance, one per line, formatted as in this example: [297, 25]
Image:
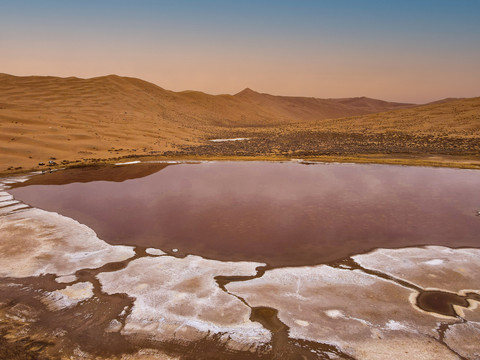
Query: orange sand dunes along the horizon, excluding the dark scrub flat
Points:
[72, 119]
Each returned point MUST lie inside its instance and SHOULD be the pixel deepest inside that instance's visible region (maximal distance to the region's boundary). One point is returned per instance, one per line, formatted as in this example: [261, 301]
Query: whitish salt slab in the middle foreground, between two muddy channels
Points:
[179, 298]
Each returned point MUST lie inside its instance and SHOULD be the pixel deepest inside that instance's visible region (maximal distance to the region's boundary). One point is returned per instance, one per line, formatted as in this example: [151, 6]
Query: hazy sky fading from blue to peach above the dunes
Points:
[405, 50]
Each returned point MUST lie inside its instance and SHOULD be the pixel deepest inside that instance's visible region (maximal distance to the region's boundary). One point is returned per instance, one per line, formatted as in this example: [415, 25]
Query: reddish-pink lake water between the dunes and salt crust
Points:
[278, 213]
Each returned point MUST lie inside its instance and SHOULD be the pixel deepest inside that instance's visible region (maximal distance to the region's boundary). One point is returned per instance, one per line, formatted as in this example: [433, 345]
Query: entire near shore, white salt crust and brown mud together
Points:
[109, 284]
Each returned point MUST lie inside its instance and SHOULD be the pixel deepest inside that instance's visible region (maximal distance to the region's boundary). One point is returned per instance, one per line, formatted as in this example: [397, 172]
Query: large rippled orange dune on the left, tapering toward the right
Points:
[43, 117]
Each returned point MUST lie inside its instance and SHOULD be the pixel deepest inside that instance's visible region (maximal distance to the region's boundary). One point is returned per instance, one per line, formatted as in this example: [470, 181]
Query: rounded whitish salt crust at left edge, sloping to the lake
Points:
[36, 242]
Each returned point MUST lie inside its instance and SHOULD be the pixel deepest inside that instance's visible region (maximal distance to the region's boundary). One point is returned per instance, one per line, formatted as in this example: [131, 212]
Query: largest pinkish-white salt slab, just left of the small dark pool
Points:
[350, 309]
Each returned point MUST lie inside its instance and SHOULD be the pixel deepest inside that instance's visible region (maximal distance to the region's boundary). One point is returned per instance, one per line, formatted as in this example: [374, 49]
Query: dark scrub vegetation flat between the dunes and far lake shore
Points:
[316, 143]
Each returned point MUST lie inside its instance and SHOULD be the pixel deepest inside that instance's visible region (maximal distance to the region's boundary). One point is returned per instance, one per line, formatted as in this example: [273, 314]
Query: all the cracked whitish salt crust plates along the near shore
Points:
[337, 302]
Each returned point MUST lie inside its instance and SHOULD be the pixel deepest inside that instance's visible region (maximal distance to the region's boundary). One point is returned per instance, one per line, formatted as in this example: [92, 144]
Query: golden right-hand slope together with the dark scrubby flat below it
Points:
[440, 134]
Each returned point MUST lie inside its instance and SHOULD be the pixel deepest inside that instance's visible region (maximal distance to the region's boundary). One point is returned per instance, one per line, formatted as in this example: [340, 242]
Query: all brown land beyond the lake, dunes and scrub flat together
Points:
[76, 121]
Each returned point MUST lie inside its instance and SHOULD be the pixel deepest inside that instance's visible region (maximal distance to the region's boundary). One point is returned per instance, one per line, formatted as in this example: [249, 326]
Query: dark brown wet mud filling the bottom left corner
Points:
[42, 333]
